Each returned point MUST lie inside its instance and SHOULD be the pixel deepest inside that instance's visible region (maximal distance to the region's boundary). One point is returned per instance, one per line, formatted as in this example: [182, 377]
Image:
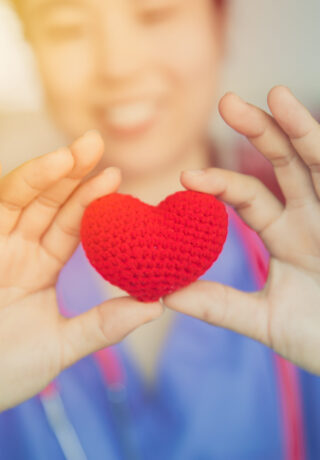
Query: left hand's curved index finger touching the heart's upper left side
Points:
[63, 236]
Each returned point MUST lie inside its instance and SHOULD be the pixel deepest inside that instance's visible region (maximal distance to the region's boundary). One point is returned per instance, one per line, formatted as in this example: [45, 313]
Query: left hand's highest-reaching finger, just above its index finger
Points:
[37, 217]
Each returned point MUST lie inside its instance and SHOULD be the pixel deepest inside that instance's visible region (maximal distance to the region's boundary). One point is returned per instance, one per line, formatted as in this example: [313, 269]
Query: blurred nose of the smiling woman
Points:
[120, 45]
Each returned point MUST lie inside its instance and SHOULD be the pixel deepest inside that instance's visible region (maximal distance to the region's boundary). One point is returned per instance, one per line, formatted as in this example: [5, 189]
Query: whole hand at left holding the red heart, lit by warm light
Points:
[41, 206]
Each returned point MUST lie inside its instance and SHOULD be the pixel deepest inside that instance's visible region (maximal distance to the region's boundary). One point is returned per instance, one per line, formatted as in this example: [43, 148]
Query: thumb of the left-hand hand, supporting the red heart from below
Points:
[104, 325]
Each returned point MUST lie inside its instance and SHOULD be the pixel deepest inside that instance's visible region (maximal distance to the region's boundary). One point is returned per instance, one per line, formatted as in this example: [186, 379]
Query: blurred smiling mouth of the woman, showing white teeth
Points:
[128, 119]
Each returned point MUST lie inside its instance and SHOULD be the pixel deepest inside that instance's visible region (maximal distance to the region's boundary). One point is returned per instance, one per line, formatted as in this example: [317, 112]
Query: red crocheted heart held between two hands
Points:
[151, 251]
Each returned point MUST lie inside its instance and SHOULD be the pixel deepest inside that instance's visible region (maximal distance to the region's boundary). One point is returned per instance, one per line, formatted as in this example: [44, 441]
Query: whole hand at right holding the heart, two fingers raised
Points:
[285, 314]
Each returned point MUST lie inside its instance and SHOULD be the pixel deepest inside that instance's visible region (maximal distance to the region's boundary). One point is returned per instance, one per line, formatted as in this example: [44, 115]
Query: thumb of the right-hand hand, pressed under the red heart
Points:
[220, 305]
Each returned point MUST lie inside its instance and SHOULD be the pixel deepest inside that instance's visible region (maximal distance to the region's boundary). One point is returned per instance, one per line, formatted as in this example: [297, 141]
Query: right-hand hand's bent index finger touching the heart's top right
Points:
[258, 207]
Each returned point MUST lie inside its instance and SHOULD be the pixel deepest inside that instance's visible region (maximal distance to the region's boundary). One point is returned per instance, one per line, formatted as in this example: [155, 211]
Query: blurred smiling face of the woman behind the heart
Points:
[144, 72]
